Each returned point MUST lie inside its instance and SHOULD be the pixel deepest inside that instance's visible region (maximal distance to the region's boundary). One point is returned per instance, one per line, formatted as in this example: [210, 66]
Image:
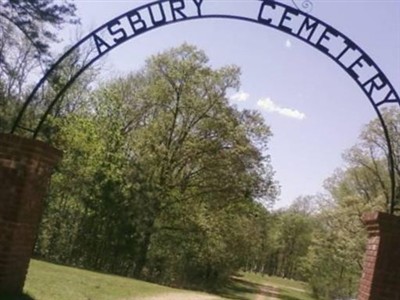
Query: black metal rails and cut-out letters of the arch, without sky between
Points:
[179, 16]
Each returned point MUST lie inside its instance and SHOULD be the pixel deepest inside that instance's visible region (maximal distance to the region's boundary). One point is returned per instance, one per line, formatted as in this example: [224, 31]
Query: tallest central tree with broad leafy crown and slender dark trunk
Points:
[194, 141]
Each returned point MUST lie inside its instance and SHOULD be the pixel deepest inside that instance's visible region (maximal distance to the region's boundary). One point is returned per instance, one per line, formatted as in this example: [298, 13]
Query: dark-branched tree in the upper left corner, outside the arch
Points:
[26, 34]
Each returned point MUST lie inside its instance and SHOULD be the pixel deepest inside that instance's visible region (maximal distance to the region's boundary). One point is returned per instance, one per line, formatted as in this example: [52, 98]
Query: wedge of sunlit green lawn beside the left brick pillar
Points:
[47, 281]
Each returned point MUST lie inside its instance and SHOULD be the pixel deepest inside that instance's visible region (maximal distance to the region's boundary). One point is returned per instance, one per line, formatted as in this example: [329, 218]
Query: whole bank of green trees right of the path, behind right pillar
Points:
[321, 239]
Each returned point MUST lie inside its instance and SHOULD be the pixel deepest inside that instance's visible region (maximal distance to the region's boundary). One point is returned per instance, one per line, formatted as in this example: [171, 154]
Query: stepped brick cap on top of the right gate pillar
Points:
[378, 223]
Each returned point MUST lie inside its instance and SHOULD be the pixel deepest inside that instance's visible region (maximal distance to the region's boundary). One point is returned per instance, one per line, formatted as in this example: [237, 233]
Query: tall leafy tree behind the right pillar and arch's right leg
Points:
[335, 259]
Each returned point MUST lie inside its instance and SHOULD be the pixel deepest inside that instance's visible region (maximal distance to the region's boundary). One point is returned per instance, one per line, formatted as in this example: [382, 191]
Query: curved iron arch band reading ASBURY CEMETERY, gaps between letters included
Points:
[290, 20]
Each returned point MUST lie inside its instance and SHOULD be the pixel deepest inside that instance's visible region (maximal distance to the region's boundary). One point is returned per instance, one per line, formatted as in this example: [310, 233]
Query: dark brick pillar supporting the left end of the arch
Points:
[25, 170]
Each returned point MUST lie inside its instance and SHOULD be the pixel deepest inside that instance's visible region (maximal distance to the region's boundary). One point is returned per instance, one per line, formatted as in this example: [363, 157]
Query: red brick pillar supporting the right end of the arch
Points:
[381, 271]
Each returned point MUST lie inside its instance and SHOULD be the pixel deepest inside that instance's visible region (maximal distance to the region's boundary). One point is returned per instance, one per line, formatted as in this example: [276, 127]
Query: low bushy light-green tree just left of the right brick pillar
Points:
[334, 259]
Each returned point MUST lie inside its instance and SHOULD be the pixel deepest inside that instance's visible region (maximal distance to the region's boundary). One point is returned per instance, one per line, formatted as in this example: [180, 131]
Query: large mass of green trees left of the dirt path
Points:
[161, 178]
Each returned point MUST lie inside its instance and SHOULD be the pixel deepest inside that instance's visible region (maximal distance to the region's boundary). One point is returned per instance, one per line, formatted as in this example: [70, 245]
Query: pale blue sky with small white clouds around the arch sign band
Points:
[314, 108]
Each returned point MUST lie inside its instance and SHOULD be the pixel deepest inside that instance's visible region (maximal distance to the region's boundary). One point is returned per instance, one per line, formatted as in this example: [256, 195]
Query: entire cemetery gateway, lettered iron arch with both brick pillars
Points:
[25, 165]
